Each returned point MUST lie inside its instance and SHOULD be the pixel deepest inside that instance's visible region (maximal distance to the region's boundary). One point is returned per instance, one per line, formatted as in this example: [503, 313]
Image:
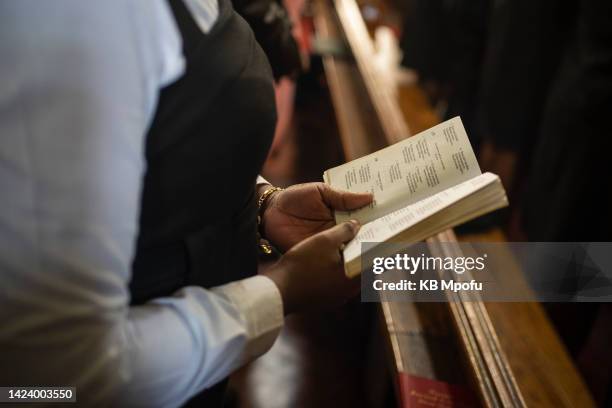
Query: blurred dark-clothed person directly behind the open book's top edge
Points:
[444, 42]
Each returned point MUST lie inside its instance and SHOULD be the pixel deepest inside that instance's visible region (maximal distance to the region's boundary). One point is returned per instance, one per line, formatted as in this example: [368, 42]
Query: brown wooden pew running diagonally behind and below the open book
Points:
[493, 354]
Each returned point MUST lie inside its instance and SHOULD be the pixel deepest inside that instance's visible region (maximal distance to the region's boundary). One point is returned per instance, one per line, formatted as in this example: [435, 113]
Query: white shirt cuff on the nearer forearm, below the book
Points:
[260, 303]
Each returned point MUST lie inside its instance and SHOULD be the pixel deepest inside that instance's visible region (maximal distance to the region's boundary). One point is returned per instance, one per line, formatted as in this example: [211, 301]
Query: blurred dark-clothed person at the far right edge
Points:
[567, 197]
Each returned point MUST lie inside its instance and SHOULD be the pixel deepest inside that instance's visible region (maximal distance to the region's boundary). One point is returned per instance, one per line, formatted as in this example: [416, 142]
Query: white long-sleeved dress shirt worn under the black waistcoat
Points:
[78, 88]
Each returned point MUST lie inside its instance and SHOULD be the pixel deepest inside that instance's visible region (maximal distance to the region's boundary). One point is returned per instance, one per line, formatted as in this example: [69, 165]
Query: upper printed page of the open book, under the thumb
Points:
[408, 171]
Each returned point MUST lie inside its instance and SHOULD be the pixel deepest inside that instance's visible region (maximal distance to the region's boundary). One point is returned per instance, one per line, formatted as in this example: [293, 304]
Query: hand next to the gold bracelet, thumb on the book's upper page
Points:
[302, 210]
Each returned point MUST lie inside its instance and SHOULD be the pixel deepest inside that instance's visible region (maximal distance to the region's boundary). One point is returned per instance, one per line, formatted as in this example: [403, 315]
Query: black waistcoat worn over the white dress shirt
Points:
[206, 145]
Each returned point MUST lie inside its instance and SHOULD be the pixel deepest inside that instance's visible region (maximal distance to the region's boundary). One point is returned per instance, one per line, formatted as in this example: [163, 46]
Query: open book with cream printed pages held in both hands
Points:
[422, 185]
